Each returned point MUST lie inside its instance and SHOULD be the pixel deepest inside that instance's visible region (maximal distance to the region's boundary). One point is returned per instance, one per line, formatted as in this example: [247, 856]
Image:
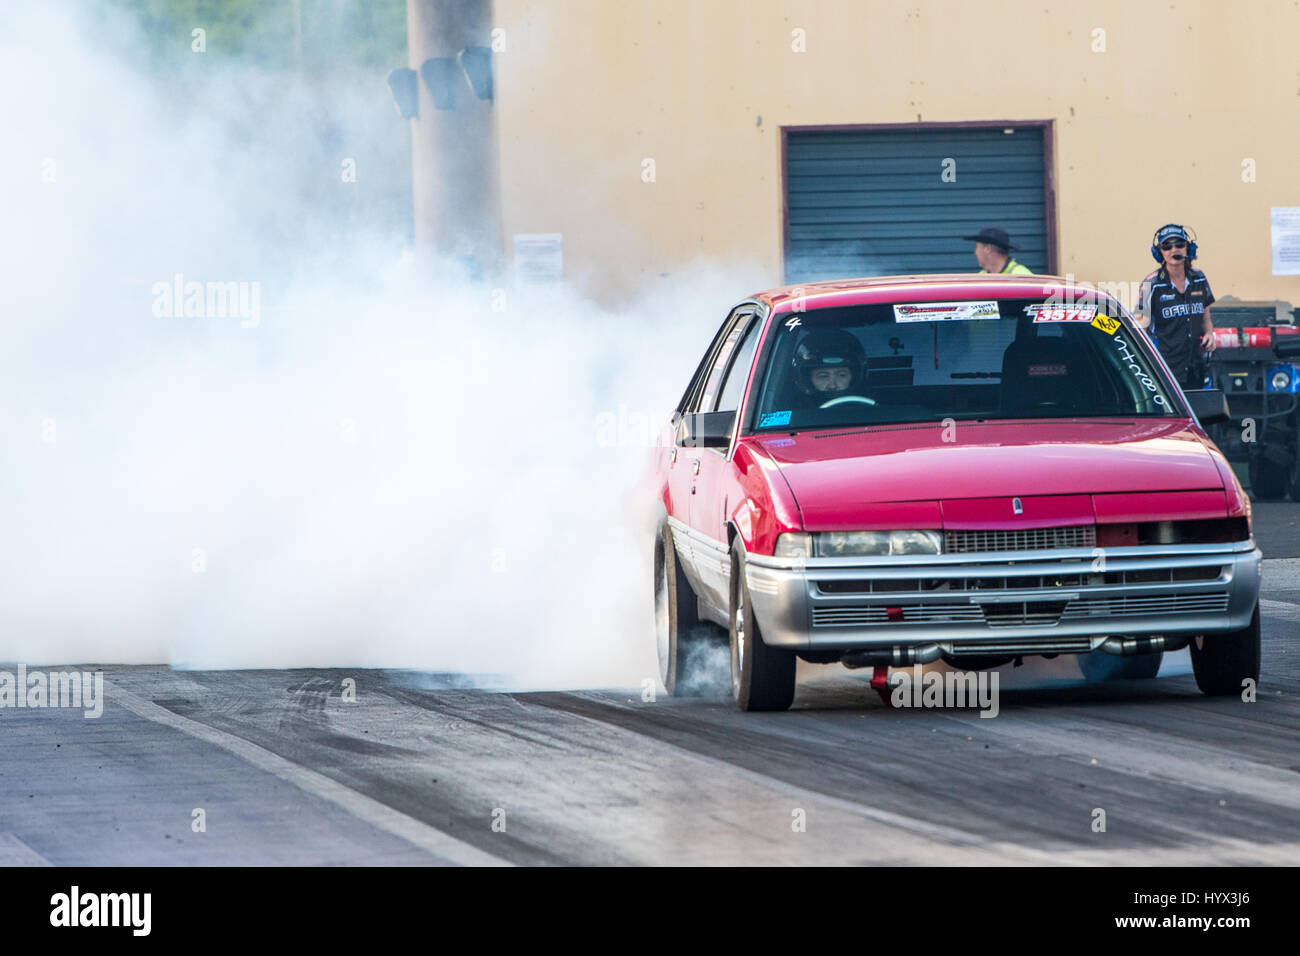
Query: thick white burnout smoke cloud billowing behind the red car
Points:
[384, 469]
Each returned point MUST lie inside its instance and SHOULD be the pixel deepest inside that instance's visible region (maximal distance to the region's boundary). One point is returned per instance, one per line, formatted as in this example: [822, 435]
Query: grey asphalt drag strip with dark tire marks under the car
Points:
[419, 771]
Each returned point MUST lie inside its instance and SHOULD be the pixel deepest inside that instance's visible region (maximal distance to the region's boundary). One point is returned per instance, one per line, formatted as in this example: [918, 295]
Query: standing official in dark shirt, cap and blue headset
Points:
[1175, 306]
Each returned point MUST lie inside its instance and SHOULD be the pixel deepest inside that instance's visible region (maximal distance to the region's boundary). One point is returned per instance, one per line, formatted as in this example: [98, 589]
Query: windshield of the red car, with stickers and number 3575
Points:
[970, 360]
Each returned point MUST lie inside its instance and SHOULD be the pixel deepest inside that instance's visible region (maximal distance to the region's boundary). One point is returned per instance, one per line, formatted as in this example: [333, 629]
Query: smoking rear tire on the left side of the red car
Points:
[691, 651]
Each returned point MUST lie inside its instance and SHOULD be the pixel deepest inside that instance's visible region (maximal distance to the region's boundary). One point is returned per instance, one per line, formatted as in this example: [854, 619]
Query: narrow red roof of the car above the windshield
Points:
[861, 292]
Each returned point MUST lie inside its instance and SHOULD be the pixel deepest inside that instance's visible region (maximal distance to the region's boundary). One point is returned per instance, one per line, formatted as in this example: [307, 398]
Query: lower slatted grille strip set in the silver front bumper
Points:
[1021, 613]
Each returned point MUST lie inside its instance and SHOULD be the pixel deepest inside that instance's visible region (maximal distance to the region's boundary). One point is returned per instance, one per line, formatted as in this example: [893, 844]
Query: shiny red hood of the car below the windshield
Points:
[829, 471]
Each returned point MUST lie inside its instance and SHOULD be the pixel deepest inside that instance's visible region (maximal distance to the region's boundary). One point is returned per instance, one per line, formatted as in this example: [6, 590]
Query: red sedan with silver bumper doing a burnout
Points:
[891, 471]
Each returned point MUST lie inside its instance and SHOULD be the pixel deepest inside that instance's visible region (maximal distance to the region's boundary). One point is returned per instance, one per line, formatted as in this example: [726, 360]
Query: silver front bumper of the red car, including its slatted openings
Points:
[1050, 602]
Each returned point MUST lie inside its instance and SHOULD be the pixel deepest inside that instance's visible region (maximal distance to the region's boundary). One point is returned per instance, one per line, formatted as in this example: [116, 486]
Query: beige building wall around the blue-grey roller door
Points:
[1154, 122]
